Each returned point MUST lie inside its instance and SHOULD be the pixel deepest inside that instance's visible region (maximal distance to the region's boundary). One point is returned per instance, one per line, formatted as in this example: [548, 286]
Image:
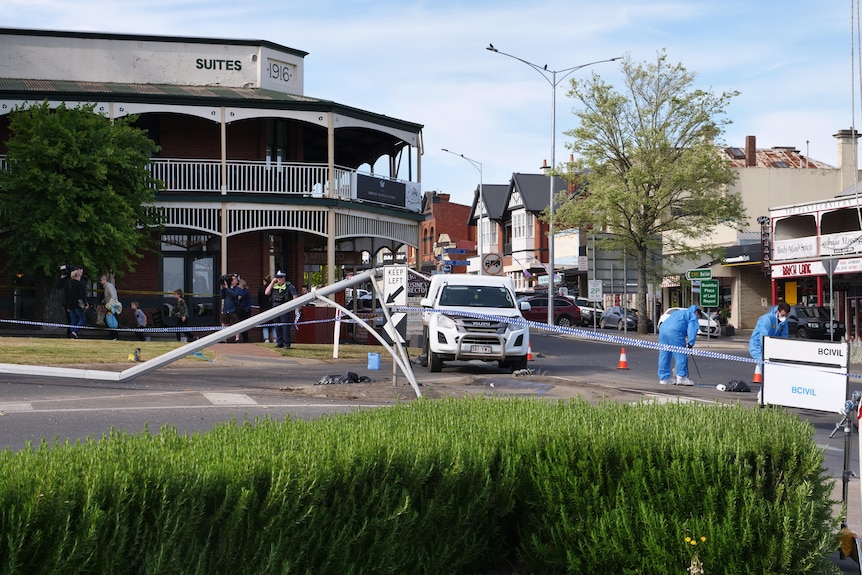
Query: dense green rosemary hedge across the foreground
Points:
[444, 486]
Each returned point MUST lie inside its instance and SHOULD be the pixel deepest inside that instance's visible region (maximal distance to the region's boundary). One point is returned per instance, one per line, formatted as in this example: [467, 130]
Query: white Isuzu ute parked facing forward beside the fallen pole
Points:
[466, 320]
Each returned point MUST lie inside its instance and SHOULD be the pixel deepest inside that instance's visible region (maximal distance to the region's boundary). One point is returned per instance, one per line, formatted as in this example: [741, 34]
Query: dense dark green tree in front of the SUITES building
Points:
[76, 190]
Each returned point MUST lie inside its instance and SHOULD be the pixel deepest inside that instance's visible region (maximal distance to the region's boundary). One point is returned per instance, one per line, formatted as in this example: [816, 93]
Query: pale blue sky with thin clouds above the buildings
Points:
[426, 62]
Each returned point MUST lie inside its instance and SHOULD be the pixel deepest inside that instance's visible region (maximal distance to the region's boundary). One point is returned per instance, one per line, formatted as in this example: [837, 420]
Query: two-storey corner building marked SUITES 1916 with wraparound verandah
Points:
[258, 176]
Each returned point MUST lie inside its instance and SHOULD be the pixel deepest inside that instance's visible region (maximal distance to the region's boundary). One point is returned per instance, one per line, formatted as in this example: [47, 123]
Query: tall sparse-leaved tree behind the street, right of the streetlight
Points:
[651, 173]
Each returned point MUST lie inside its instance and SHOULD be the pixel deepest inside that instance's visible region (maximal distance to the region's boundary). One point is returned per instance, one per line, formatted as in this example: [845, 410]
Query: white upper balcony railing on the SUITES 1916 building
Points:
[250, 177]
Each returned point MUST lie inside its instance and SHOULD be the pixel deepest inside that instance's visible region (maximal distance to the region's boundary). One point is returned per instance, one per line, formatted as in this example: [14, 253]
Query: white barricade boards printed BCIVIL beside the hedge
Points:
[805, 374]
